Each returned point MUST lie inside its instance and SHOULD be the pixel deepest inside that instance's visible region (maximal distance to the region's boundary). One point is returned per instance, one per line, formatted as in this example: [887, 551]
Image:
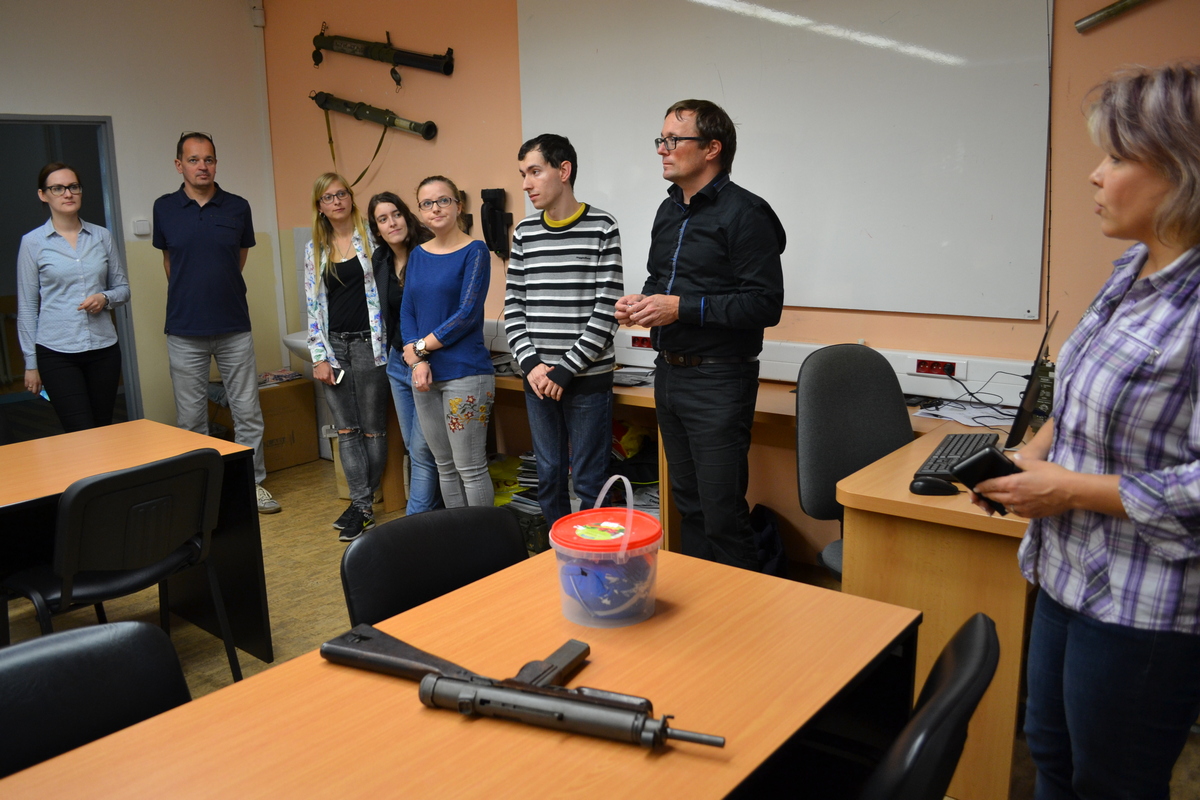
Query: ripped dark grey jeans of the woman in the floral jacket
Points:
[359, 405]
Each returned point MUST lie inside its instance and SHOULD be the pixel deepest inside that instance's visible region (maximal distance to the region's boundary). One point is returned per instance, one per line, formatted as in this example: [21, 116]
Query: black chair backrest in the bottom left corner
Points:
[64, 690]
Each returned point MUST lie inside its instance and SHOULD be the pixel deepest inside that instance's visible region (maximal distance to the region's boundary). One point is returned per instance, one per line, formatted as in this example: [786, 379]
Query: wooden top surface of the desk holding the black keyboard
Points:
[884, 488]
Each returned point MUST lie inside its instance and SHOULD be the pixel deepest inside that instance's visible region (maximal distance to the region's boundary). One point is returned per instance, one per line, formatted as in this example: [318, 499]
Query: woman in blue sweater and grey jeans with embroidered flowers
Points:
[442, 324]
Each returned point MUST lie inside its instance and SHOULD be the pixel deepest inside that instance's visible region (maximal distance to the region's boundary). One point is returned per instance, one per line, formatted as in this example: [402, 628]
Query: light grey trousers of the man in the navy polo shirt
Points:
[190, 360]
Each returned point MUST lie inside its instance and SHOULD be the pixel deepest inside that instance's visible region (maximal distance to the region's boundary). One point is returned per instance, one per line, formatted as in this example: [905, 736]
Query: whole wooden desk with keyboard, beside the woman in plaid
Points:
[949, 560]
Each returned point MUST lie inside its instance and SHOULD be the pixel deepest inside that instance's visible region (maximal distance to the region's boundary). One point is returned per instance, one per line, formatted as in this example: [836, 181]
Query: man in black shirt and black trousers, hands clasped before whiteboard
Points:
[716, 284]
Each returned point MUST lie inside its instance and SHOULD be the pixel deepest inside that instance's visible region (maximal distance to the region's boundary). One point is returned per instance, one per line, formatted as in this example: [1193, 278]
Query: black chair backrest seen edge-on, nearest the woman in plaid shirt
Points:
[922, 761]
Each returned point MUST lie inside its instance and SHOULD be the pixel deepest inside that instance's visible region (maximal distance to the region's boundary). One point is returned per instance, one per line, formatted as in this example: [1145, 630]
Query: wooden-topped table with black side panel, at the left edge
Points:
[34, 474]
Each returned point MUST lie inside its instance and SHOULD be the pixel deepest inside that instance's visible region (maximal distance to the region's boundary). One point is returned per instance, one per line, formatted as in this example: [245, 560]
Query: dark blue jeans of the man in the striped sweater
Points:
[577, 432]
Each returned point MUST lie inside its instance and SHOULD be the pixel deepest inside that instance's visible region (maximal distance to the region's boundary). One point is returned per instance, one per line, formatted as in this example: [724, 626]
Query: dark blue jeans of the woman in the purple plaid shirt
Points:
[1109, 706]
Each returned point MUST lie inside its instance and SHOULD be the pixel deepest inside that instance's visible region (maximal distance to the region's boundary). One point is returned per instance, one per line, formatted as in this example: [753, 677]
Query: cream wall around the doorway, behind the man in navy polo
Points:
[158, 68]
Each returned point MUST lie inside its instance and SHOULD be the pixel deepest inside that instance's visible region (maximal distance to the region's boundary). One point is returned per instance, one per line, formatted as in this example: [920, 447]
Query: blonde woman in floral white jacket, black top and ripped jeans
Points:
[349, 341]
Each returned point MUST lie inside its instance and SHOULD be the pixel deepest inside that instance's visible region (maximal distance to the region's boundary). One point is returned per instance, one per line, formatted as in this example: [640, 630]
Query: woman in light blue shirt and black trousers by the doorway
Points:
[69, 275]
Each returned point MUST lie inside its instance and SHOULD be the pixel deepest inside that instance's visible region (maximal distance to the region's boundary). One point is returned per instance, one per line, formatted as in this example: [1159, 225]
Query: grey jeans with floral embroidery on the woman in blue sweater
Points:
[454, 418]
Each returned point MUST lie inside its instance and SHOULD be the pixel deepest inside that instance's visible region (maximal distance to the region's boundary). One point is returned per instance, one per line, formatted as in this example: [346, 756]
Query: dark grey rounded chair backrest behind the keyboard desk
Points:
[850, 413]
